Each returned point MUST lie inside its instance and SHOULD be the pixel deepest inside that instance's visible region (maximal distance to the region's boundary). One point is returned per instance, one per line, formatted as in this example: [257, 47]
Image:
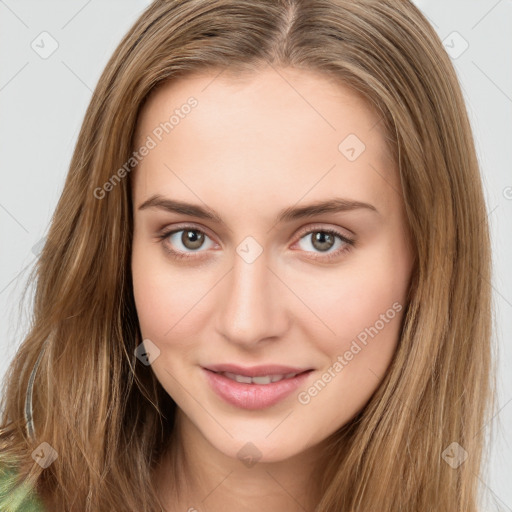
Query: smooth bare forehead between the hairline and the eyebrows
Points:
[275, 132]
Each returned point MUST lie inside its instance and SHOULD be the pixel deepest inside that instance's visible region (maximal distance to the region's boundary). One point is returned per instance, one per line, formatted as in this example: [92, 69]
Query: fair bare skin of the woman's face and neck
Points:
[255, 145]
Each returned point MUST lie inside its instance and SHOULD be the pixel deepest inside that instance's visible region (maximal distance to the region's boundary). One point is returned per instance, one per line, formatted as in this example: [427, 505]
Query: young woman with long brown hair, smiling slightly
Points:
[318, 337]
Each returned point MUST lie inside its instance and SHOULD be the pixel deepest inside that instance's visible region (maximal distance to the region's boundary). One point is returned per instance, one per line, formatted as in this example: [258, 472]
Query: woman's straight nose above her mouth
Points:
[253, 304]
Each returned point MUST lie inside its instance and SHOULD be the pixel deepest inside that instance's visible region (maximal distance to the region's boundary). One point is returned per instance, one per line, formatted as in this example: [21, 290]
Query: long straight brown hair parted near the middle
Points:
[106, 415]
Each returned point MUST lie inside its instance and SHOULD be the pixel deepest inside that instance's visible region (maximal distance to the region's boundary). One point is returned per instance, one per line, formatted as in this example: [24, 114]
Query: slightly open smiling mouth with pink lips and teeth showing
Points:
[257, 391]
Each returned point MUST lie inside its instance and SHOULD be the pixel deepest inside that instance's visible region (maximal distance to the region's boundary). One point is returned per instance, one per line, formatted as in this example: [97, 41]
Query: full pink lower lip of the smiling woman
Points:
[253, 396]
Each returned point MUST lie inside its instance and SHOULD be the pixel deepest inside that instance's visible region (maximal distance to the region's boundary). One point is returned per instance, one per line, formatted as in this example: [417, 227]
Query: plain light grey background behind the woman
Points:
[43, 101]
